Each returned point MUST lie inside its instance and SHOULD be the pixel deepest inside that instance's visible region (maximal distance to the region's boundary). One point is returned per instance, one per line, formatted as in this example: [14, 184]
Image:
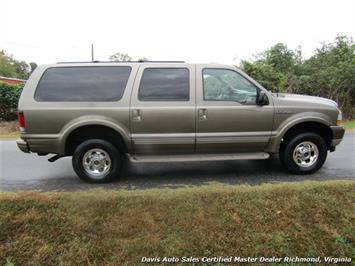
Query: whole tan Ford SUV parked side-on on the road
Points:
[98, 112]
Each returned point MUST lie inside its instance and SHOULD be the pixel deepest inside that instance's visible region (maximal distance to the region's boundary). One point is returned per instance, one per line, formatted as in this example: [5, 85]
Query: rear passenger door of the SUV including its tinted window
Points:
[162, 110]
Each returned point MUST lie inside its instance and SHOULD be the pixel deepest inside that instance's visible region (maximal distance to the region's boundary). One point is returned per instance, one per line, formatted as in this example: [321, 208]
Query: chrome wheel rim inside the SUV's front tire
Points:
[305, 154]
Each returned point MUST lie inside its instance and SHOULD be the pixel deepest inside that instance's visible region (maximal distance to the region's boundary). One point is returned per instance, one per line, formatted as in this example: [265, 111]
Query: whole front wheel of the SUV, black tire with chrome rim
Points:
[304, 153]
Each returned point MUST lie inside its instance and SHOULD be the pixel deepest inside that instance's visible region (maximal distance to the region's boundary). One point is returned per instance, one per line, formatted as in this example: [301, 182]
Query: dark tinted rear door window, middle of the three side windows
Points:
[164, 84]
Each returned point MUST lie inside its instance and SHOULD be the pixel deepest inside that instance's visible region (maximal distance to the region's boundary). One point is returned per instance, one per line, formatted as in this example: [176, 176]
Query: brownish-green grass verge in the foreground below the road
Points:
[101, 227]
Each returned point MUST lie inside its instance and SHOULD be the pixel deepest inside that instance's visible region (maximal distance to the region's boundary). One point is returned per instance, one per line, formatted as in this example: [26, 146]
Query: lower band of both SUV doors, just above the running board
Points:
[200, 143]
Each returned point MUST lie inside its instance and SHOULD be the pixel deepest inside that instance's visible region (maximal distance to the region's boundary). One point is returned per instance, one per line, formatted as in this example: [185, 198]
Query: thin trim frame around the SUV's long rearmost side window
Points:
[63, 101]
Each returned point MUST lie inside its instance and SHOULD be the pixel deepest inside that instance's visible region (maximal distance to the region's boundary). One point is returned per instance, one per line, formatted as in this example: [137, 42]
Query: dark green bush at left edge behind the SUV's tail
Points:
[9, 97]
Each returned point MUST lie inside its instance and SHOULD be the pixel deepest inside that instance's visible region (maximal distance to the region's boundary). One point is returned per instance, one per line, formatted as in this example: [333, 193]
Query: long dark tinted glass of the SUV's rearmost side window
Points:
[79, 84]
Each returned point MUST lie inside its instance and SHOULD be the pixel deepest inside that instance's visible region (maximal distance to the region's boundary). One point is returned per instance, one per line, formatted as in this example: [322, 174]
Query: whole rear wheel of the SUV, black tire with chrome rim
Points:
[97, 161]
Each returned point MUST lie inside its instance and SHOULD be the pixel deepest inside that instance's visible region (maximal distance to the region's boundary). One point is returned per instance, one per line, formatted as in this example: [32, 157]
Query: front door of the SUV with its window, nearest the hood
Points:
[228, 118]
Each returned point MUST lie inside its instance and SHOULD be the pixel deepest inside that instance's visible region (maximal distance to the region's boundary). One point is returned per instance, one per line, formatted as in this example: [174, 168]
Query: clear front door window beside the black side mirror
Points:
[227, 85]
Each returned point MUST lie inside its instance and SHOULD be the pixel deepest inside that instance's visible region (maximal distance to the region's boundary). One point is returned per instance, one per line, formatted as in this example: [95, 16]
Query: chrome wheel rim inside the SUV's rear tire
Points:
[96, 163]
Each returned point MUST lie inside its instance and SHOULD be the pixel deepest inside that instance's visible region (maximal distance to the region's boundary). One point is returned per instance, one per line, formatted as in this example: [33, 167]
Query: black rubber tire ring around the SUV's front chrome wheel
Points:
[288, 148]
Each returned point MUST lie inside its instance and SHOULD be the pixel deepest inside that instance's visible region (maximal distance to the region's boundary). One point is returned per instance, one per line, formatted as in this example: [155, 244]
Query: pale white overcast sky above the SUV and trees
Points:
[219, 31]
